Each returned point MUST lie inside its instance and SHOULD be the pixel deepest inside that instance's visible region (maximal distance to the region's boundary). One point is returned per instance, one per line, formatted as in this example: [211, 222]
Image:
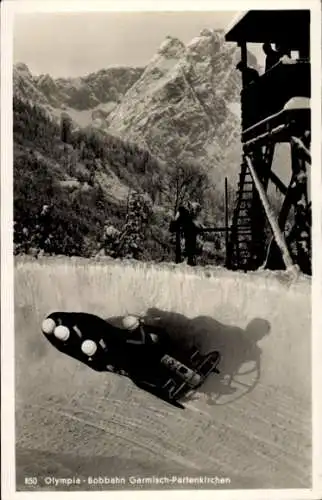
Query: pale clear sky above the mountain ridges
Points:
[75, 44]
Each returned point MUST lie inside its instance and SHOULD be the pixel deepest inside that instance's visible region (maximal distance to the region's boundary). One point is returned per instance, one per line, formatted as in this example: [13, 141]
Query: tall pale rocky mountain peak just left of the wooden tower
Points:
[182, 104]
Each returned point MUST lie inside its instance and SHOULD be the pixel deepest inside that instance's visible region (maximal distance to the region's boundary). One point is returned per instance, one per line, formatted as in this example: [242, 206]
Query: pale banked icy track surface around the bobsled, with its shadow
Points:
[253, 425]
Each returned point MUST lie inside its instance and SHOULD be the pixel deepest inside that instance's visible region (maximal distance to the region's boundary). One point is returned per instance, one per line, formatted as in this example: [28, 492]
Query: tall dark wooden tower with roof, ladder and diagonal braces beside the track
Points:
[275, 109]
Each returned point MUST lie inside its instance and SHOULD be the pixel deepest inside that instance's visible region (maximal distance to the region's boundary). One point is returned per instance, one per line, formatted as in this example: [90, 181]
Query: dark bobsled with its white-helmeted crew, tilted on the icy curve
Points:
[136, 350]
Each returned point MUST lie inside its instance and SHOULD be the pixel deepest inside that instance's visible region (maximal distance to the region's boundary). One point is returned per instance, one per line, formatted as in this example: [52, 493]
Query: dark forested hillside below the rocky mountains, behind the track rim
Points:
[84, 192]
